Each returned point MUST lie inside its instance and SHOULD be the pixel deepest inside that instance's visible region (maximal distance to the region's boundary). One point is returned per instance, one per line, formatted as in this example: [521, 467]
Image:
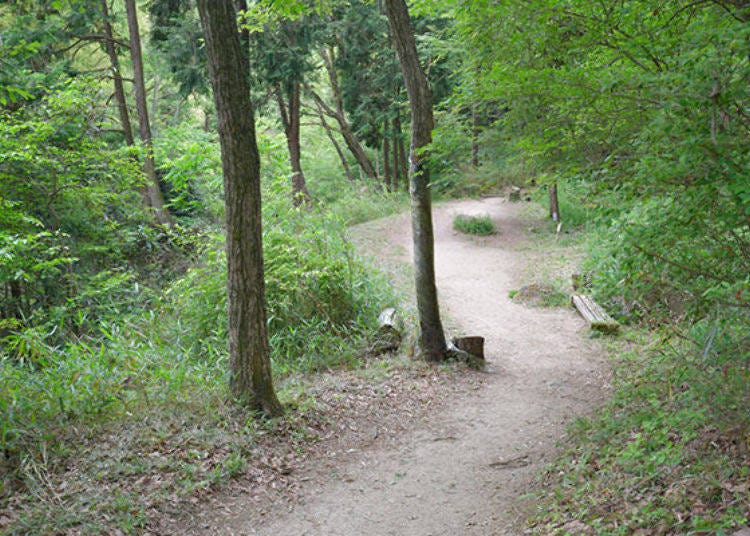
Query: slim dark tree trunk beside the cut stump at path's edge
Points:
[420, 98]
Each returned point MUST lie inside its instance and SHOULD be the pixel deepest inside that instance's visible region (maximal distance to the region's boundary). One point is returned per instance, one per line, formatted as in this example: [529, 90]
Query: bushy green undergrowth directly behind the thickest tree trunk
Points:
[320, 297]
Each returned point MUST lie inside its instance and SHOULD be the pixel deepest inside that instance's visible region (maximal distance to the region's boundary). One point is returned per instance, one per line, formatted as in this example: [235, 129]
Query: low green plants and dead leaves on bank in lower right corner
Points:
[669, 452]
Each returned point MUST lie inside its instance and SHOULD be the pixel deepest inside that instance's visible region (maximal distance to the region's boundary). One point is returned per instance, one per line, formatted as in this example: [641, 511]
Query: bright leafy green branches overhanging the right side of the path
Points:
[637, 111]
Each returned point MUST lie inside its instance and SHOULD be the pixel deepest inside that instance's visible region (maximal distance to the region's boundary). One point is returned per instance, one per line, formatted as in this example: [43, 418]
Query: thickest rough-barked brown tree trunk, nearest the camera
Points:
[249, 362]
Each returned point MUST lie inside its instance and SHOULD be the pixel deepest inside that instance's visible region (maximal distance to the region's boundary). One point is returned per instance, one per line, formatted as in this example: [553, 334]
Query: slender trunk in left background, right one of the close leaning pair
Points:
[154, 197]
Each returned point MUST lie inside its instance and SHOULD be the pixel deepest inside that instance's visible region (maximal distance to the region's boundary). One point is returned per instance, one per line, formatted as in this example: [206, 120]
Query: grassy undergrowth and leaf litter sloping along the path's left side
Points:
[100, 431]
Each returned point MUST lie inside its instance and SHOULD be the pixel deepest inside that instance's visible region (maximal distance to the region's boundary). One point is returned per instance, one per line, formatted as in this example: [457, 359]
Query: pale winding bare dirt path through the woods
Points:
[461, 471]
